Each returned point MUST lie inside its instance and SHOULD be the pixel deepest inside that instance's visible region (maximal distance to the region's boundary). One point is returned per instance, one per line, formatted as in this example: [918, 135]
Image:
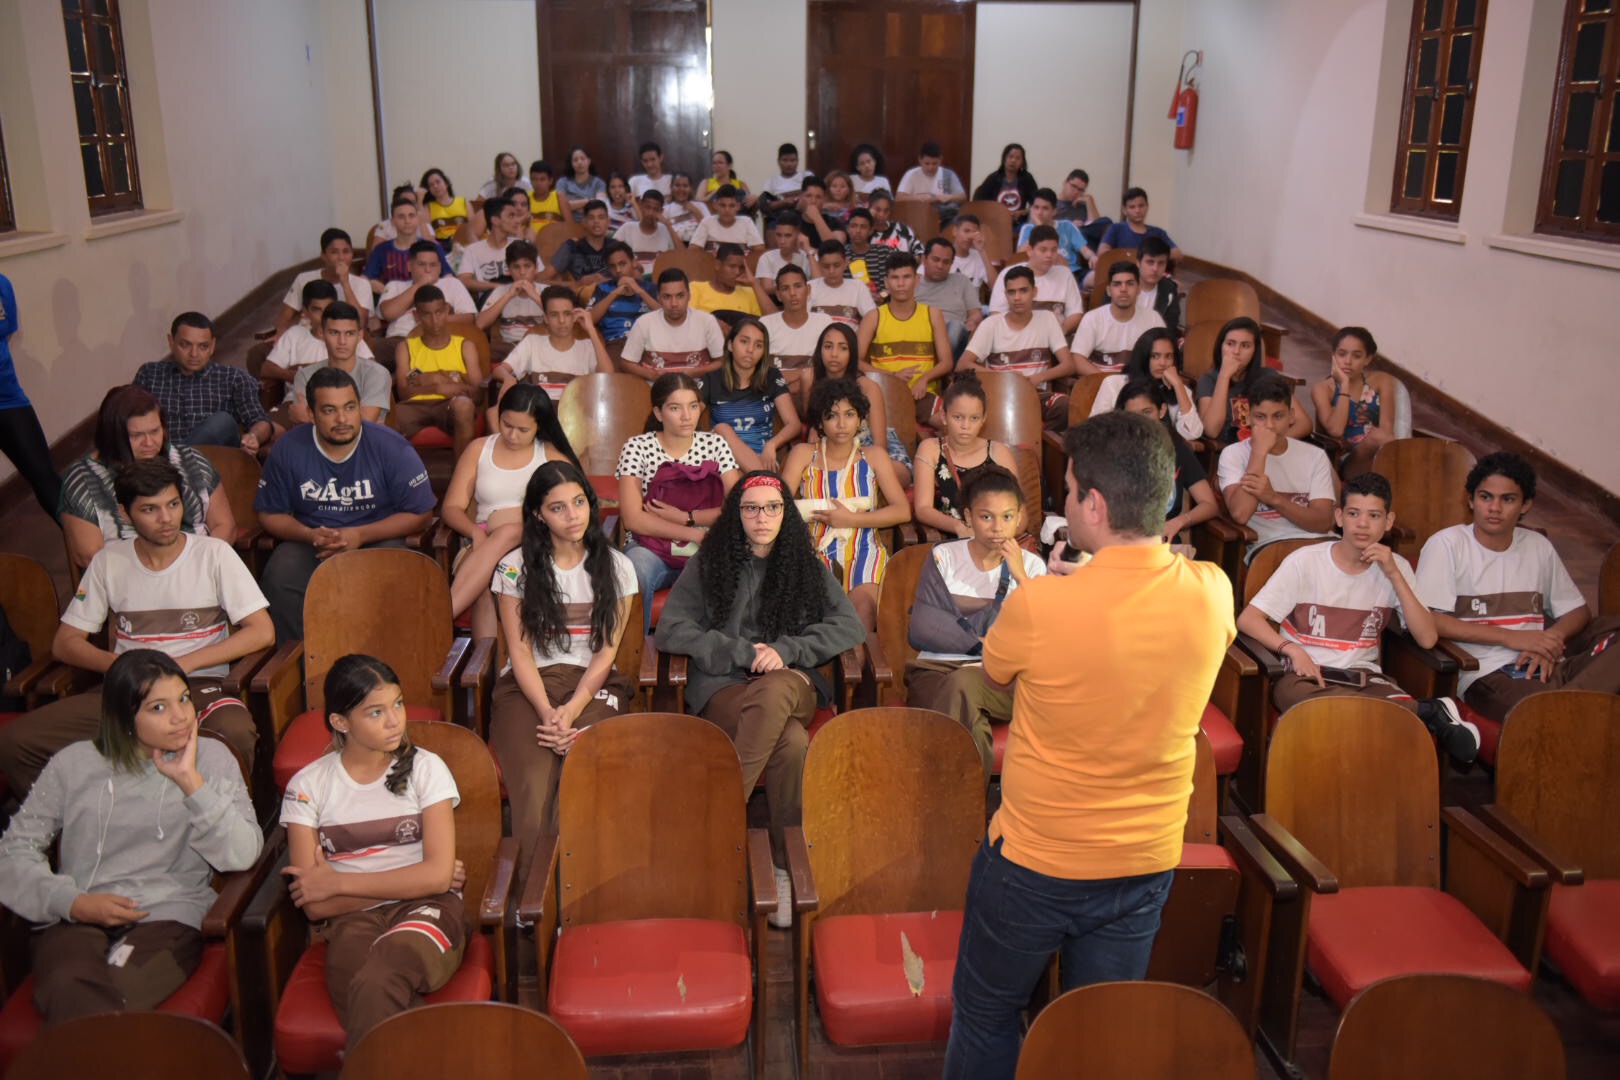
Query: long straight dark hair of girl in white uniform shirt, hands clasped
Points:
[545, 623]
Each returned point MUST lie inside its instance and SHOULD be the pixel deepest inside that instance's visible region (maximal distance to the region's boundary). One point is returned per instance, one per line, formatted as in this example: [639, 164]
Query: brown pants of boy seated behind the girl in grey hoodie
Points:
[28, 742]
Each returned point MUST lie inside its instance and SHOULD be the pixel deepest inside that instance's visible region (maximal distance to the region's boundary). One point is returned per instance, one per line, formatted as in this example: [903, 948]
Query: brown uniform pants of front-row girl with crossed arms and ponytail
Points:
[380, 963]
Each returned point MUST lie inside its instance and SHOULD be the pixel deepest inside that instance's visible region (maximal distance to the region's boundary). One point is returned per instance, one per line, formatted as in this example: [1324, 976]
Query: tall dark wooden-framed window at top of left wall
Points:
[101, 101]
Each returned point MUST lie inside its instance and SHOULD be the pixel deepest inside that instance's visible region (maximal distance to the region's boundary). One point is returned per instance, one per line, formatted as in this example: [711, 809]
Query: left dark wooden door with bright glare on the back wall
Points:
[618, 74]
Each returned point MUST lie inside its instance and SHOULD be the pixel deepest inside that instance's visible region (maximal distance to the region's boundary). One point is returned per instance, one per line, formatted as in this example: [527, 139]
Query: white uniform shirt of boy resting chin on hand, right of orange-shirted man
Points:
[1334, 616]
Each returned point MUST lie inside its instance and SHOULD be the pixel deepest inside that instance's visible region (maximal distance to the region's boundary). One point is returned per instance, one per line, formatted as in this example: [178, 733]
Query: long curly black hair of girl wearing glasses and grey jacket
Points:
[795, 576]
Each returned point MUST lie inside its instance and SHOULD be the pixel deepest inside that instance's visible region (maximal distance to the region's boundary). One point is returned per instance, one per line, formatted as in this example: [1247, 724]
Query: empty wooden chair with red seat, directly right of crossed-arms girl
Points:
[649, 906]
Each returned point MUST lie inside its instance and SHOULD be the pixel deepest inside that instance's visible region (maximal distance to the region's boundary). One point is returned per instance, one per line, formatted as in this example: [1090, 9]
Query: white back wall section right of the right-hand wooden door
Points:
[1070, 111]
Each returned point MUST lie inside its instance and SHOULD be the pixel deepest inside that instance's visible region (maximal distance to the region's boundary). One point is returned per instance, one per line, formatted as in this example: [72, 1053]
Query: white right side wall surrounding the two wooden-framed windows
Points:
[1285, 166]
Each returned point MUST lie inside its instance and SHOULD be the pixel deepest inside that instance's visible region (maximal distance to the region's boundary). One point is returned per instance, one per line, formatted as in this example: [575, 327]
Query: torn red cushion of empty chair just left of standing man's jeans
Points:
[861, 987]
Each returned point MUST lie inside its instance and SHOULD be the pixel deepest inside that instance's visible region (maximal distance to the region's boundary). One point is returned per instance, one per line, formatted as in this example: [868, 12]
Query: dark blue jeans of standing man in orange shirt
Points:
[1015, 921]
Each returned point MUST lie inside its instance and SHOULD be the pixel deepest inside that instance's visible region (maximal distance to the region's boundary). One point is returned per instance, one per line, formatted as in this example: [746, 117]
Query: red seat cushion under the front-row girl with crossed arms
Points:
[309, 1037]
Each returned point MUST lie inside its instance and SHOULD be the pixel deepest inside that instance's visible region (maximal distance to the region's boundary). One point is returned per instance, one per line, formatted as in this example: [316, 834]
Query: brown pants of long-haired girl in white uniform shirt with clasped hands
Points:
[531, 770]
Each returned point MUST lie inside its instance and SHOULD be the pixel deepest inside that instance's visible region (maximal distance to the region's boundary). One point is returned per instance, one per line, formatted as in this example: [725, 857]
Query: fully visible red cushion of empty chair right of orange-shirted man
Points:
[1360, 937]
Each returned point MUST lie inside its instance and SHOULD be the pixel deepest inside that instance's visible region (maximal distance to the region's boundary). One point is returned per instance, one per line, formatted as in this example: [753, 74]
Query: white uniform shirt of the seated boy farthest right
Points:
[1522, 589]
